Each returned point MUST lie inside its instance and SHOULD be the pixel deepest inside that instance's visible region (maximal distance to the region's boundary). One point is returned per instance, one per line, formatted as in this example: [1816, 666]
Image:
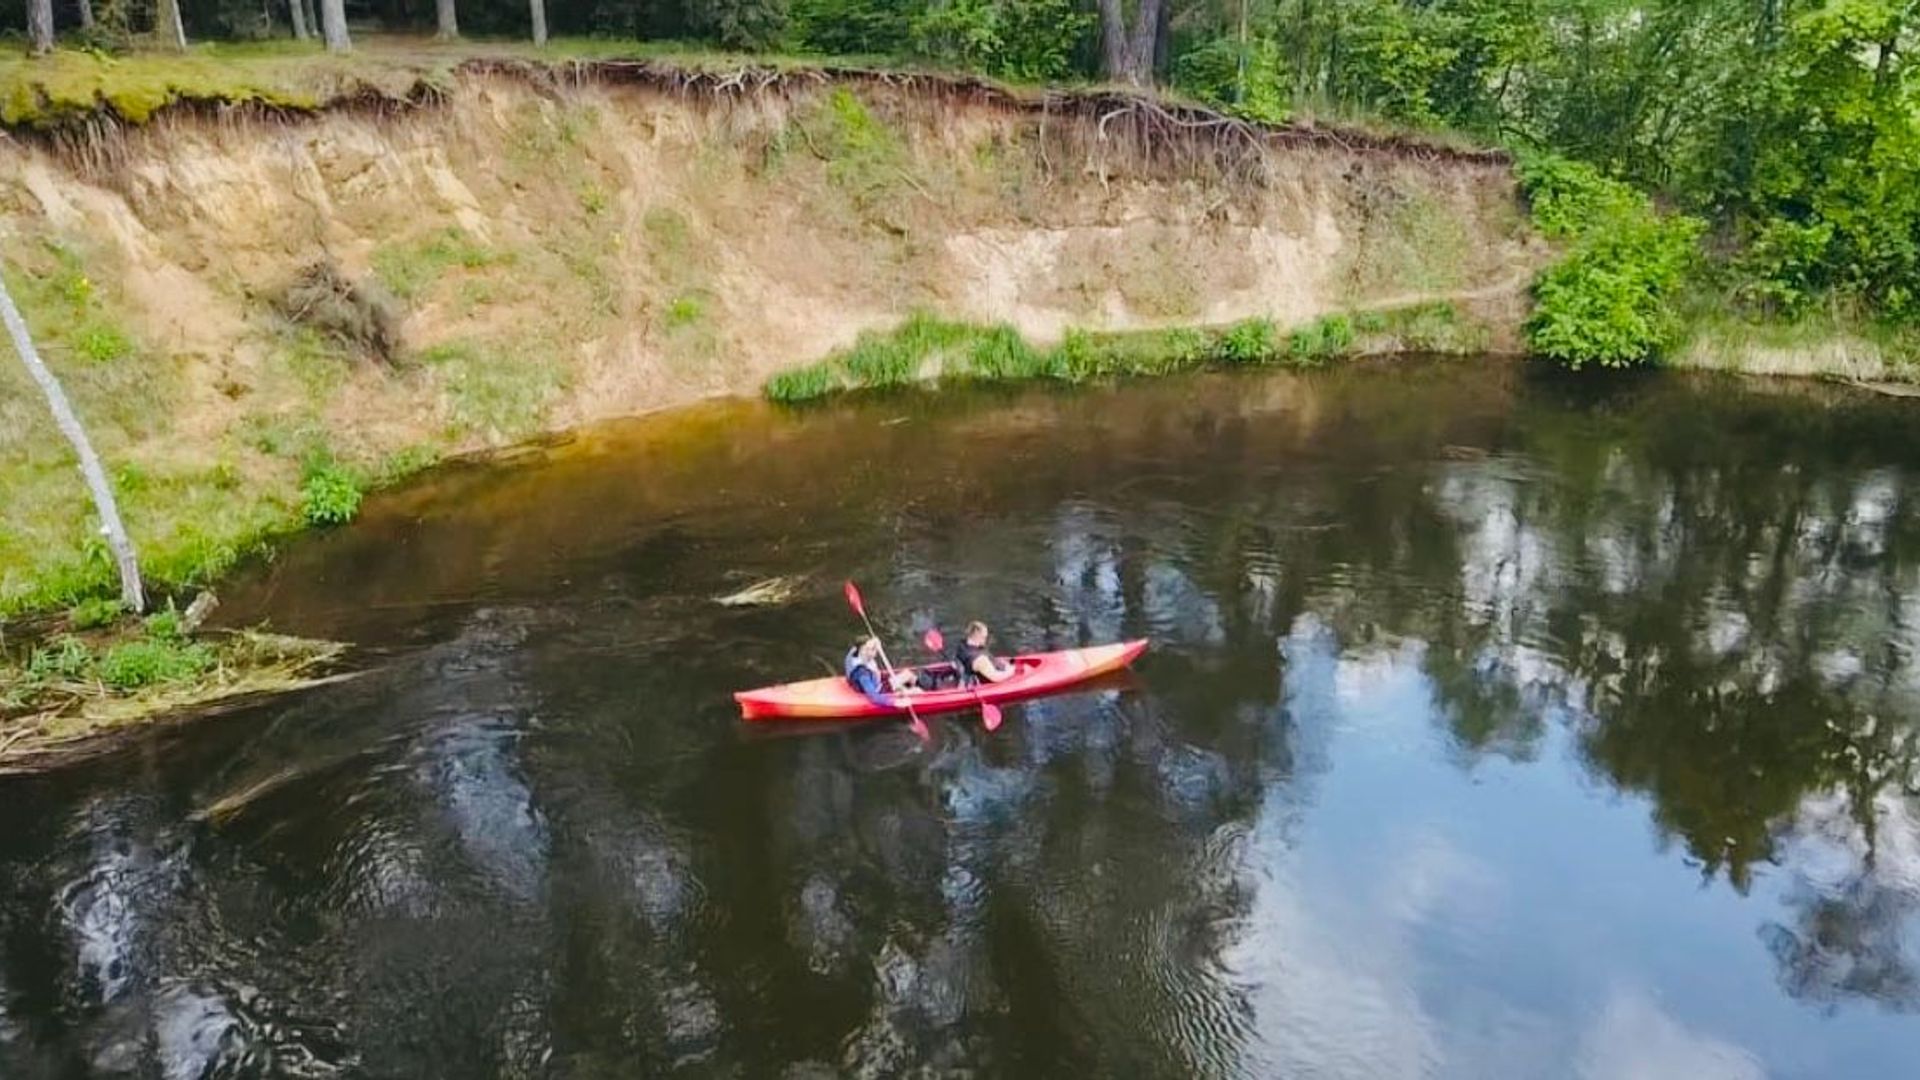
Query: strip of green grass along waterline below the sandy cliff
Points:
[926, 347]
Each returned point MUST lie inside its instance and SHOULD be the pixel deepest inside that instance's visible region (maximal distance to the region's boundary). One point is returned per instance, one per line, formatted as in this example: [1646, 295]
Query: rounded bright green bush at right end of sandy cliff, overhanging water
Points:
[1612, 299]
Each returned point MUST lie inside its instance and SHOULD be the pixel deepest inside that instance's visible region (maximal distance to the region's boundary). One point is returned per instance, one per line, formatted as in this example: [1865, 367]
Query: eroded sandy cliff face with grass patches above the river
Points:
[569, 249]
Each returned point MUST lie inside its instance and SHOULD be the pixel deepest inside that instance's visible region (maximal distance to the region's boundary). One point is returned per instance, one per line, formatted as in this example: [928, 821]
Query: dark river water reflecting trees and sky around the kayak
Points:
[1495, 725]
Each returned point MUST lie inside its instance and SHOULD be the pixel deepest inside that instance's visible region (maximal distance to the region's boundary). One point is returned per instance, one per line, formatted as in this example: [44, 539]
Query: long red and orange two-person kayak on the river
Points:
[1034, 675]
